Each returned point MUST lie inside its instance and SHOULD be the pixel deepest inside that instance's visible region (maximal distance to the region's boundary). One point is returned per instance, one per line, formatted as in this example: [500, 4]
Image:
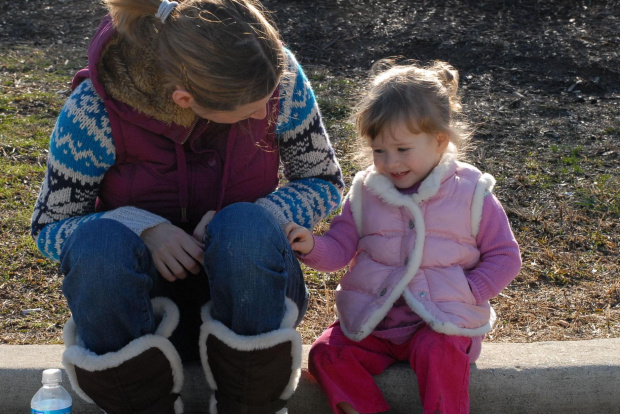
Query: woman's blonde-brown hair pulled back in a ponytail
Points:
[226, 53]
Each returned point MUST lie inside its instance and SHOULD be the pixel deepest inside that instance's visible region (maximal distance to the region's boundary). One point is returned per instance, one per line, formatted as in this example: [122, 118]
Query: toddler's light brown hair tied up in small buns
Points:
[425, 98]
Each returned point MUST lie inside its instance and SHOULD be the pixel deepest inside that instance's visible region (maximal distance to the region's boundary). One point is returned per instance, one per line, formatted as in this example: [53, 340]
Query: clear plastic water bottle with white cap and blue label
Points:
[51, 398]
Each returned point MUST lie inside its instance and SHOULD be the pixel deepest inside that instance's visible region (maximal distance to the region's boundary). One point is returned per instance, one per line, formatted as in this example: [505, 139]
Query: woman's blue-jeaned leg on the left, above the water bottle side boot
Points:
[109, 279]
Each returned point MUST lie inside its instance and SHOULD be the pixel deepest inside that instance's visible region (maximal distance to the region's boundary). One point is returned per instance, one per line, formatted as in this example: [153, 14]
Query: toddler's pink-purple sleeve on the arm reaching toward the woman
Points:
[337, 247]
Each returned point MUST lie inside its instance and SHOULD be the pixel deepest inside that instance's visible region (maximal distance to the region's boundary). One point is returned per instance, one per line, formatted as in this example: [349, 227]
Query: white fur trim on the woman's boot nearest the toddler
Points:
[267, 340]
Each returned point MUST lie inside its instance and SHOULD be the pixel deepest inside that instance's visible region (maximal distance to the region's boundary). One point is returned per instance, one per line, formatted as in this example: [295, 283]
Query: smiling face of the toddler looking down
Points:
[407, 158]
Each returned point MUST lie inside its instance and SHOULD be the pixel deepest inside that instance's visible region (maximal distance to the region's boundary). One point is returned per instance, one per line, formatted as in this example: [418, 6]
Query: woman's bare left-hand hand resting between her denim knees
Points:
[174, 252]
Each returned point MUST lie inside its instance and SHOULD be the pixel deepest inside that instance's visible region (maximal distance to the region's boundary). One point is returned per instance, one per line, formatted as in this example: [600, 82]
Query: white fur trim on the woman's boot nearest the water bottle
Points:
[76, 353]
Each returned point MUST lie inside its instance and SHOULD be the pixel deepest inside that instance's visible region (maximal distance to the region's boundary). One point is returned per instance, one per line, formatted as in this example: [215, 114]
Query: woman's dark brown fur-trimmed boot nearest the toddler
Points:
[249, 374]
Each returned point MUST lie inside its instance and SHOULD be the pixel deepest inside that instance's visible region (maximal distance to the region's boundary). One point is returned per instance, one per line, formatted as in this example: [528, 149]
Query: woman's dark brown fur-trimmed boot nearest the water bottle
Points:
[143, 377]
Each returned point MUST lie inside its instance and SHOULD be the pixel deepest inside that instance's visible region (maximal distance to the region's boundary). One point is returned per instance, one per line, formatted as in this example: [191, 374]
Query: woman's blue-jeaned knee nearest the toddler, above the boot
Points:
[251, 269]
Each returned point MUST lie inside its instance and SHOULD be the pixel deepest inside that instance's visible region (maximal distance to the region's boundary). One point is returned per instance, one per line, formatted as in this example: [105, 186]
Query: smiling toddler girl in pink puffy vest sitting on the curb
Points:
[427, 245]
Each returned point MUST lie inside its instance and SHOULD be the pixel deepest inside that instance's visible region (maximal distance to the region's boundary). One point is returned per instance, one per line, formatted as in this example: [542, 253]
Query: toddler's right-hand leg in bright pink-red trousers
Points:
[441, 364]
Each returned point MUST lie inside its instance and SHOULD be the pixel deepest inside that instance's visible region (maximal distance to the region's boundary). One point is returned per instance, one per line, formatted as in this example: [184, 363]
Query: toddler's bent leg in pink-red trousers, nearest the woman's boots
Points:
[345, 370]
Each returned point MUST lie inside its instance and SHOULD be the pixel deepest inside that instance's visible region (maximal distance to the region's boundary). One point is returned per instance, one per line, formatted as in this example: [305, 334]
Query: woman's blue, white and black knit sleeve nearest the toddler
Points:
[314, 183]
